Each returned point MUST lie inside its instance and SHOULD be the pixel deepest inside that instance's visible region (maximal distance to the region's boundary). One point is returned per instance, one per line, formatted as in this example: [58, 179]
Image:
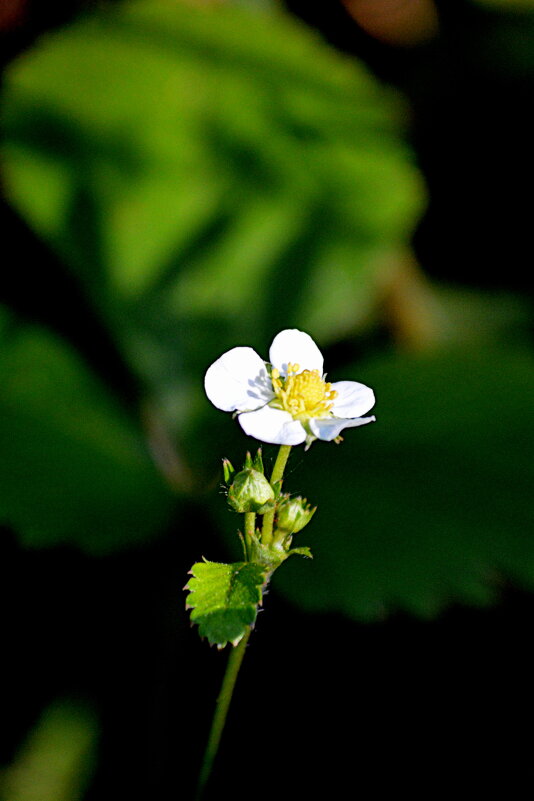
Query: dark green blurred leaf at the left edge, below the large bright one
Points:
[73, 467]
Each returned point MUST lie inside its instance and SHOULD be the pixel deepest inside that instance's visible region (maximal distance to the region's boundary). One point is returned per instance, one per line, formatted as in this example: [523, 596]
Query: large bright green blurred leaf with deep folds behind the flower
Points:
[211, 174]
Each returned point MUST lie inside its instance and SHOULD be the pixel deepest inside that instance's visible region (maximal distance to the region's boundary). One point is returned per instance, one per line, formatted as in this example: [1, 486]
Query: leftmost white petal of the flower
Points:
[238, 381]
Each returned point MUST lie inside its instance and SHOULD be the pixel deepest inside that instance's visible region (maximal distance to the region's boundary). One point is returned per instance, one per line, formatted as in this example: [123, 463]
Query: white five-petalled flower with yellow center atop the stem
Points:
[287, 400]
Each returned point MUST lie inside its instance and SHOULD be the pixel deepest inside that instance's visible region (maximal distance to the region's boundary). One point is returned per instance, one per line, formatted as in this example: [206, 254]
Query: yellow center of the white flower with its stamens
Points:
[303, 395]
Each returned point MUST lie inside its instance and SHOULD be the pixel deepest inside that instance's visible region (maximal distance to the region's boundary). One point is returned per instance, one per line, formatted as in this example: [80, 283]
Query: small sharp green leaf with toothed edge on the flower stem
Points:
[224, 599]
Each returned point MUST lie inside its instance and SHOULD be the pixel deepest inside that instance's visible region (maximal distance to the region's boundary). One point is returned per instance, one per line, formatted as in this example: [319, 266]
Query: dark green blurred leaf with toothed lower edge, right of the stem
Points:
[433, 503]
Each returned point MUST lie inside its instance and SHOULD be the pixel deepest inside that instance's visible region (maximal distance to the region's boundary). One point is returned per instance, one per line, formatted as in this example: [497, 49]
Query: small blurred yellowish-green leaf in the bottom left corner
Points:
[55, 762]
